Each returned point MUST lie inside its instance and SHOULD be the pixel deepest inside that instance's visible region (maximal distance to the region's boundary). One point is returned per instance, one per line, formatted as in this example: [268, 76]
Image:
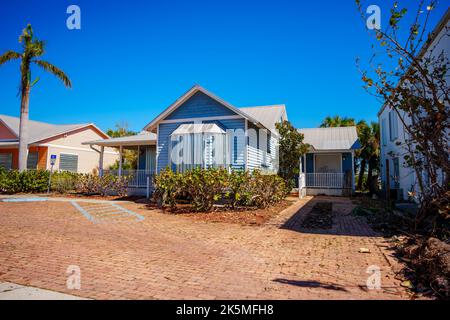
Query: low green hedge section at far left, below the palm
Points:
[14, 181]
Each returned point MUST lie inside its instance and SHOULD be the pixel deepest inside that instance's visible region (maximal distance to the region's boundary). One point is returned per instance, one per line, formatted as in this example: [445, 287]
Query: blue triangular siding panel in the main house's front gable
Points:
[199, 106]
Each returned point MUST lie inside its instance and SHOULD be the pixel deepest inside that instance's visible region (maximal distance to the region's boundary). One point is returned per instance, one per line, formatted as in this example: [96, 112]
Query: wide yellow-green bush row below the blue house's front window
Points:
[205, 187]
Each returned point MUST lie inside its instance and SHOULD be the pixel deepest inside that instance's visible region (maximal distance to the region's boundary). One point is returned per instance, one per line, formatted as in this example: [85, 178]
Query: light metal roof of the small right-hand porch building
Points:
[339, 138]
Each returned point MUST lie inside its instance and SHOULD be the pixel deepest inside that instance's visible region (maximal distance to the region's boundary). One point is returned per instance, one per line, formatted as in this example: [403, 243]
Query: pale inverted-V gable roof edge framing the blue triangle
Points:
[196, 88]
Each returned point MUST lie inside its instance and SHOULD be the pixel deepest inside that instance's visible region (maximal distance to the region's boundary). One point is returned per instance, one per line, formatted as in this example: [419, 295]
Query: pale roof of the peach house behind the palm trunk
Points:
[40, 130]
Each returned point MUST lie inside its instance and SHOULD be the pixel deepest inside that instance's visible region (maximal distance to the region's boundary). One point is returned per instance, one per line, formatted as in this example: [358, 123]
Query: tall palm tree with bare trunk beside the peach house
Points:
[32, 48]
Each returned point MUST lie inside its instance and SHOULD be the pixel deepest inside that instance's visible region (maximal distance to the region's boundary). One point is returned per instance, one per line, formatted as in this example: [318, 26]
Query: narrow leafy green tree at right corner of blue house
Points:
[291, 149]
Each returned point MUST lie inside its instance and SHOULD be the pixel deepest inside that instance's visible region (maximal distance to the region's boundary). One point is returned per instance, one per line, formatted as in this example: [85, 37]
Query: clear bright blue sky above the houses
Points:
[131, 59]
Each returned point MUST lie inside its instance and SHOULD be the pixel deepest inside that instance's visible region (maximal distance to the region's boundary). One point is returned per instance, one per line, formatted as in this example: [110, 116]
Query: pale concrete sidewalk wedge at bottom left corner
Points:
[12, 291]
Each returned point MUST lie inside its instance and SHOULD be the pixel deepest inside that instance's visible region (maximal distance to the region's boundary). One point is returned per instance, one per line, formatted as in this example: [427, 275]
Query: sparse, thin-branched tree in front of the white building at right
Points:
[412, 81]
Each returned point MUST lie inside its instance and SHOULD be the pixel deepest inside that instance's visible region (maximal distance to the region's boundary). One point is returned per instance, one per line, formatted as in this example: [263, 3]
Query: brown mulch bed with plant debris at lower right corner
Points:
[426, 260]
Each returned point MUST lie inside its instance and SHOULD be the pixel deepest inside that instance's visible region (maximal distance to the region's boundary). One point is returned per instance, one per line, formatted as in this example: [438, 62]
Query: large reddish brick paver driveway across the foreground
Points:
[168, 257]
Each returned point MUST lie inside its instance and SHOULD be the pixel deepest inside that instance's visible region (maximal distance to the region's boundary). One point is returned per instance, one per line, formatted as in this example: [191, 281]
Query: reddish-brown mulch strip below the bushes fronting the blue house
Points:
[242, 216]
